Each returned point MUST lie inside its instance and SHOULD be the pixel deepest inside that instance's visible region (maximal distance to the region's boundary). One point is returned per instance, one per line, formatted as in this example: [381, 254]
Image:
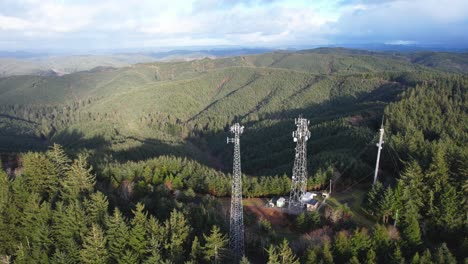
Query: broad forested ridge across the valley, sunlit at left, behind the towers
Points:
[185, 108]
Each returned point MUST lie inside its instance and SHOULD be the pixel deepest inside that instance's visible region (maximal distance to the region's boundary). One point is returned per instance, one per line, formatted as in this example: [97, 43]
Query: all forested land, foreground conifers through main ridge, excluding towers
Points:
[142, 164]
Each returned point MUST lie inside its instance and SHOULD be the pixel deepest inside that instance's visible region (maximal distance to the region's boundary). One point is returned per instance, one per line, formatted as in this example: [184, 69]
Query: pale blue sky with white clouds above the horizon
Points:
[133, 24]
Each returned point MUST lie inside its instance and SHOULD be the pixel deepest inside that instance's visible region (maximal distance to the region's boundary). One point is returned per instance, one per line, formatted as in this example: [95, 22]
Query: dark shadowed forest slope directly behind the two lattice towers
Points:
[267, 146]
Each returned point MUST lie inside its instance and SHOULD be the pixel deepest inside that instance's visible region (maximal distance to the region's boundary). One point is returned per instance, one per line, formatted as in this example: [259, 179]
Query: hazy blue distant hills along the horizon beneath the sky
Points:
[42, 64]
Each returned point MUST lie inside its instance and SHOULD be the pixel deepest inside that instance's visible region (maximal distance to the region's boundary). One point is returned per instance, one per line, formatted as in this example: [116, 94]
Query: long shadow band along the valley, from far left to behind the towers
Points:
[267, 146]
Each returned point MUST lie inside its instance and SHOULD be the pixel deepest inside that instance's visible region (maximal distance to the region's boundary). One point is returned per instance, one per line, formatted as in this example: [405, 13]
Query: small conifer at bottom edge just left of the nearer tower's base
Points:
[215, 245]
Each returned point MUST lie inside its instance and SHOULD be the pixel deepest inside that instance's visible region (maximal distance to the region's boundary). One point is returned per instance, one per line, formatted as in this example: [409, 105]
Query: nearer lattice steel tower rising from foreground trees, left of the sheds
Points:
[236, 234]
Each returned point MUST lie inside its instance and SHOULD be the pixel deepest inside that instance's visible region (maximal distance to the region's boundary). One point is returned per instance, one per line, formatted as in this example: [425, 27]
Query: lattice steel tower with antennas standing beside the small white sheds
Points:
[299, 178]
